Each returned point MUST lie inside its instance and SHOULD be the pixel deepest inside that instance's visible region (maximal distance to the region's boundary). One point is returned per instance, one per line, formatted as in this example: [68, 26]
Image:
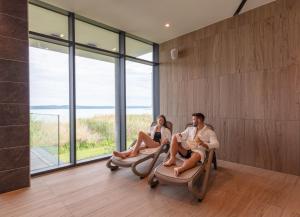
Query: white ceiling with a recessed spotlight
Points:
[146, 19]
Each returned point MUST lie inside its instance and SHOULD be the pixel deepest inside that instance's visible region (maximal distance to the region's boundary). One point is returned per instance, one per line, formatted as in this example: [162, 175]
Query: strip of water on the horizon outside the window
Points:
[86, 113]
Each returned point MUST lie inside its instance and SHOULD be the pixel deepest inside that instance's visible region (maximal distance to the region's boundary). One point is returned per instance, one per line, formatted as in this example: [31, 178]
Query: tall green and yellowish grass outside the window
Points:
[95, 135]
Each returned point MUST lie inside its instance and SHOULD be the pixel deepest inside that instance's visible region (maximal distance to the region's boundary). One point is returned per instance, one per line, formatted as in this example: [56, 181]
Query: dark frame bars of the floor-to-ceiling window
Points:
[120, 80]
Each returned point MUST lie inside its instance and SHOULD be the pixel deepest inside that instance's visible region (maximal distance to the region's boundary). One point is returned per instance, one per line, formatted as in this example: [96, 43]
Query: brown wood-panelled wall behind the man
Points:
[244, 74]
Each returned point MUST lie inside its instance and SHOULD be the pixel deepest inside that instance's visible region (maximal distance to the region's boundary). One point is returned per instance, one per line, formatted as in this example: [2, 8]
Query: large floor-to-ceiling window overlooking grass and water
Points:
[77, 85]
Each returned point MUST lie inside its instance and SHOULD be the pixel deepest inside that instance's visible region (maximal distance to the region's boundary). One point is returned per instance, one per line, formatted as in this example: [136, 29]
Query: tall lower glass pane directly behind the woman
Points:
[138, 99]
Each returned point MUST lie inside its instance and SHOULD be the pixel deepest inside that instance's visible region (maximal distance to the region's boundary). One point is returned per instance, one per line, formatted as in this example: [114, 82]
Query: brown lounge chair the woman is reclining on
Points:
[149, 153]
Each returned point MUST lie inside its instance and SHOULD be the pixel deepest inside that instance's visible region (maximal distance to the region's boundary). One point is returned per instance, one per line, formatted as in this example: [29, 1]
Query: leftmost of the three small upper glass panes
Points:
[47, 22]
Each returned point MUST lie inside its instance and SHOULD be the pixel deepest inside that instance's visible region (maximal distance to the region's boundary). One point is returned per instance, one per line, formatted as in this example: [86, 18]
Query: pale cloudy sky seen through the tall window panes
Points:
[95, 80]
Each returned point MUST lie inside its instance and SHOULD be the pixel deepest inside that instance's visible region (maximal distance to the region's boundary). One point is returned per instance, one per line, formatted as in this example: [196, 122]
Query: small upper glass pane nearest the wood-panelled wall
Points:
[139, 49]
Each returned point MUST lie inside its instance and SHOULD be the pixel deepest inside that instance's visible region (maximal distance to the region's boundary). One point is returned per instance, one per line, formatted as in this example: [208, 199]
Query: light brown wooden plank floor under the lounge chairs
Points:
[92, 190]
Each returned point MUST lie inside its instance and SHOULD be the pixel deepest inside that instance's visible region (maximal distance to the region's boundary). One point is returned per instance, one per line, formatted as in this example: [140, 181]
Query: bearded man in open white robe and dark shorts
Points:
[192, 144]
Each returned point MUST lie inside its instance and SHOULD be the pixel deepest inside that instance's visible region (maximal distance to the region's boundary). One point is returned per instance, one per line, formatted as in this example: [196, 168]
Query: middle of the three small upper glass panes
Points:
[95, 36]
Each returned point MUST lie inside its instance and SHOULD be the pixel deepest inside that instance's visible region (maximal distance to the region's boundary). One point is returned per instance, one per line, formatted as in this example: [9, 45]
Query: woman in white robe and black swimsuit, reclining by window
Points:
[159, 134]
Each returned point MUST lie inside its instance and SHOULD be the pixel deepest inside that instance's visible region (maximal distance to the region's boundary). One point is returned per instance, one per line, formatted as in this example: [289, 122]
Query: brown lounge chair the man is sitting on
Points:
[193, 178]
